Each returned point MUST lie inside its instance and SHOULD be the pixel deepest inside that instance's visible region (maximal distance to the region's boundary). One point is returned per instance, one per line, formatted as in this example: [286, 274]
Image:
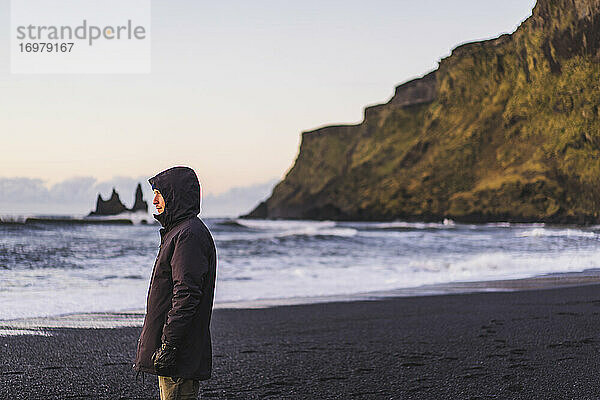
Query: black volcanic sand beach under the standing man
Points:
[542, 344]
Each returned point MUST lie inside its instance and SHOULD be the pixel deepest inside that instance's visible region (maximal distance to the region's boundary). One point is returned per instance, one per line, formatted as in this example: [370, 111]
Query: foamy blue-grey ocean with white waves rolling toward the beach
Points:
[51, 269]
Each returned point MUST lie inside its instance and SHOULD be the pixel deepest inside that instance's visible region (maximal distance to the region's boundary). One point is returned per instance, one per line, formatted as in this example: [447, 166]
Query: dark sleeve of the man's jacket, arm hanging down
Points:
[189, 268]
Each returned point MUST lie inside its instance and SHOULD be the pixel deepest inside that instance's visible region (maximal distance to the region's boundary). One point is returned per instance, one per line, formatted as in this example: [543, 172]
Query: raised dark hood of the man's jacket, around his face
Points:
[180, 188]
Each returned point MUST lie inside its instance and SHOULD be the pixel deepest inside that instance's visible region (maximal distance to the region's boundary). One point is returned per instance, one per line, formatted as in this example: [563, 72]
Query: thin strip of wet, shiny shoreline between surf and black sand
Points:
[135, 318]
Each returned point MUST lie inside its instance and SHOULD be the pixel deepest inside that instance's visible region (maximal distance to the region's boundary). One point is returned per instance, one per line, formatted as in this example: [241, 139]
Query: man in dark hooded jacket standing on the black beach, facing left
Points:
[175, 342]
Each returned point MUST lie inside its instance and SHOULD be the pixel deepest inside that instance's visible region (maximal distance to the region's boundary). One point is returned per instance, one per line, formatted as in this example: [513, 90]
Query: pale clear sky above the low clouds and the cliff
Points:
[233, 85]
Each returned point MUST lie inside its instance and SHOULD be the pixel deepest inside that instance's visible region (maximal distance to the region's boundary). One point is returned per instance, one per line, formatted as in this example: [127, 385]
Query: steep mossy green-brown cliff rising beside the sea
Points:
[504, 129]
